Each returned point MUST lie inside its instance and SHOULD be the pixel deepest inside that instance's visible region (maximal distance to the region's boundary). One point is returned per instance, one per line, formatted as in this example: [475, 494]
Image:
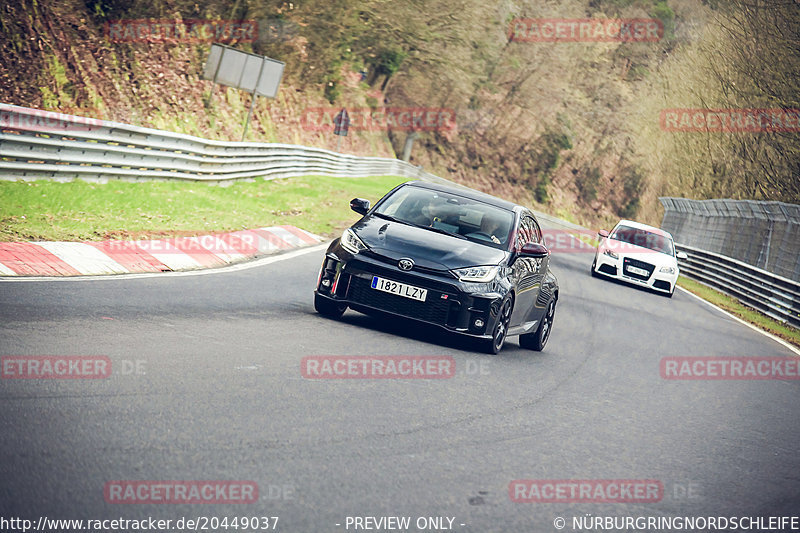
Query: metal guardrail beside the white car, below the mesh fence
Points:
[773, 295]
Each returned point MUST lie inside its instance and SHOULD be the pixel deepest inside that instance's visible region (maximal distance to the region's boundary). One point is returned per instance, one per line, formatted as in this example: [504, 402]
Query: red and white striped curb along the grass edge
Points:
[128, 256]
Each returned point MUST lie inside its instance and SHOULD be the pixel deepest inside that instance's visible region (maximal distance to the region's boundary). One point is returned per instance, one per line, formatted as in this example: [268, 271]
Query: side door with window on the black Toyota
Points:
[527, 273]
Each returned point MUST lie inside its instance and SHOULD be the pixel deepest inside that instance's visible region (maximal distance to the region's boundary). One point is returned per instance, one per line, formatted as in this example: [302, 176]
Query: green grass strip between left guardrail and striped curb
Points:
[78, 211]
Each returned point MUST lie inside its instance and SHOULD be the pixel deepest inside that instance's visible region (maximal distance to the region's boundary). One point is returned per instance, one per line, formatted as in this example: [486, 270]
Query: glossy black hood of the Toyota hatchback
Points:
[428, 249]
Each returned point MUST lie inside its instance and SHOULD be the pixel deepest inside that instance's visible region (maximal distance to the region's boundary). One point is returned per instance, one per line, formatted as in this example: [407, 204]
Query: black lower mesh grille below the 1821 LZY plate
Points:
[435, 309]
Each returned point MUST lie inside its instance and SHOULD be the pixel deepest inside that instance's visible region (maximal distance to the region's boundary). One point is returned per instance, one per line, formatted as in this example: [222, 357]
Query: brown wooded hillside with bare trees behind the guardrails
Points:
[570, 127]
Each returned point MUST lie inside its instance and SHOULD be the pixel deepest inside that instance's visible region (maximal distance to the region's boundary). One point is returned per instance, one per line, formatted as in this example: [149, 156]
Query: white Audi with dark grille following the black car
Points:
[638, 254]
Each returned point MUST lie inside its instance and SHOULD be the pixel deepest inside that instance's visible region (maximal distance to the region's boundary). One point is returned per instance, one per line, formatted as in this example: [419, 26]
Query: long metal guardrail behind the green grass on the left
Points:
[36, 144]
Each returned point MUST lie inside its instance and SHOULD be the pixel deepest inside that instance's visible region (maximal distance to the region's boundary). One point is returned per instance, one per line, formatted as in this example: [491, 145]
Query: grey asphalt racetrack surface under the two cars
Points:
[219, 396]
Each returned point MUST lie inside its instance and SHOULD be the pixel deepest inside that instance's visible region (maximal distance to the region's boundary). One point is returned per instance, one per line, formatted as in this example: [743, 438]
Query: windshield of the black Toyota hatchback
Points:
[450, 213]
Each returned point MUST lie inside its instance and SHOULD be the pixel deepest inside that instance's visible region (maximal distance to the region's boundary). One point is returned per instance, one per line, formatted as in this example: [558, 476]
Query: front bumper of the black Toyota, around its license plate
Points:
[465, 308]
